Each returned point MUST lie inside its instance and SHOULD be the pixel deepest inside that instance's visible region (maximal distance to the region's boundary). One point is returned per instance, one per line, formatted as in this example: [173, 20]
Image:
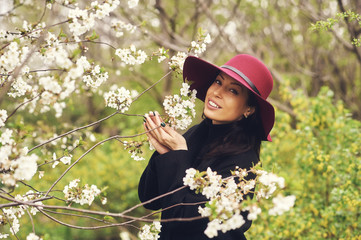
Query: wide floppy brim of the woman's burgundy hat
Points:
[201, 75]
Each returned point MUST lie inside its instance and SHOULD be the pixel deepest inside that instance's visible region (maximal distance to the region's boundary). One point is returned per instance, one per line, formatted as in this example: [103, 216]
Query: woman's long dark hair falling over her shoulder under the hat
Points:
[244, 135]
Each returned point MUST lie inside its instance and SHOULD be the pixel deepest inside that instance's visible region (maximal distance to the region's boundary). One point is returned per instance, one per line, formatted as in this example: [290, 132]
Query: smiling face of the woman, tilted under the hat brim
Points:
[226, 100]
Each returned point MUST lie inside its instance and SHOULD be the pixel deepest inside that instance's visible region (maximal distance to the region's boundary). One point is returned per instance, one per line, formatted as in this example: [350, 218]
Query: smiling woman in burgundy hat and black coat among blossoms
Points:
[237, 119]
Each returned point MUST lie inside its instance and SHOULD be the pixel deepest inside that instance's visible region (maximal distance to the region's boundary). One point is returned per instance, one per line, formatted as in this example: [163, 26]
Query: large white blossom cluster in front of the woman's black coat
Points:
[224, 208]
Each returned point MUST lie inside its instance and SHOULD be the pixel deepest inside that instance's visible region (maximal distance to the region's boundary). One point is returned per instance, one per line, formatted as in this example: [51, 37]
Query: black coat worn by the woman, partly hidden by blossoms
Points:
[165, 173]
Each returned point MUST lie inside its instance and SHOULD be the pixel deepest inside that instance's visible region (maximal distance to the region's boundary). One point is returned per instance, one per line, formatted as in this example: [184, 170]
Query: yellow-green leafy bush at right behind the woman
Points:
[317, 151]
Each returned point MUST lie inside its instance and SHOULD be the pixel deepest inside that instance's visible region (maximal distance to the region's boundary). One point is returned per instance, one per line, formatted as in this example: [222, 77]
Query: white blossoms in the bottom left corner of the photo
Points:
[13, 214]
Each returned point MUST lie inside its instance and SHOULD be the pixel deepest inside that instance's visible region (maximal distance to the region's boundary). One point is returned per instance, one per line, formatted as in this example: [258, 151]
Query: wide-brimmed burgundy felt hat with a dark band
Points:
[246, 69]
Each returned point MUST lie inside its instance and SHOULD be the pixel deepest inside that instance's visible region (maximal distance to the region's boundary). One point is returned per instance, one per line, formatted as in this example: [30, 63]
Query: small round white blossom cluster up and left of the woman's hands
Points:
[119, 98]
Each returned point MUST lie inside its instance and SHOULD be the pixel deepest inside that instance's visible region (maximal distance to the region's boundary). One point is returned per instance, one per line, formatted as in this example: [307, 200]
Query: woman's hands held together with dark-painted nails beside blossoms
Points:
[161, 136]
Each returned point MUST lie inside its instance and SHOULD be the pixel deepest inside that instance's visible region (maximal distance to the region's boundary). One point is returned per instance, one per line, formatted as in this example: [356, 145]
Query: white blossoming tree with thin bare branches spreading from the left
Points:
[45, 65]
